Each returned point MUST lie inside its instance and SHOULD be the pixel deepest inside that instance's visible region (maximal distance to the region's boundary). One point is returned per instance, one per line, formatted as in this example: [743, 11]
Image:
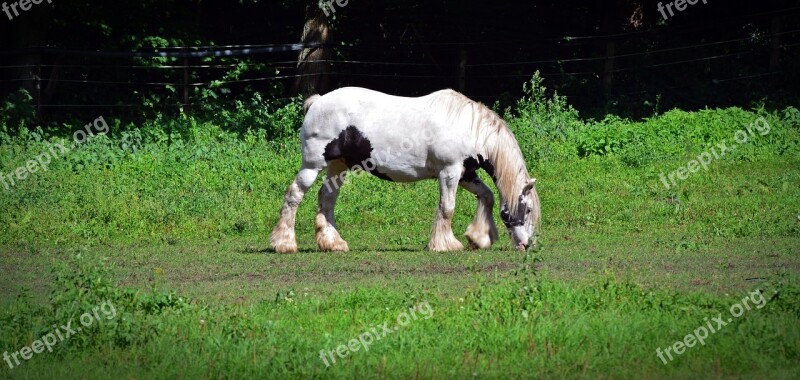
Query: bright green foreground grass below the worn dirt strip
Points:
[488, 323]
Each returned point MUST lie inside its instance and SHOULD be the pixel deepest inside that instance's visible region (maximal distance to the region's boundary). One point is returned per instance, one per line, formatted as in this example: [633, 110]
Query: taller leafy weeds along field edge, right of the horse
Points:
[551, 129]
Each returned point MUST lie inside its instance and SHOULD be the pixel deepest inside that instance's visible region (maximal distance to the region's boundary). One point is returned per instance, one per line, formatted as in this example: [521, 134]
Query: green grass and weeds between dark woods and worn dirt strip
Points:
[186, 177]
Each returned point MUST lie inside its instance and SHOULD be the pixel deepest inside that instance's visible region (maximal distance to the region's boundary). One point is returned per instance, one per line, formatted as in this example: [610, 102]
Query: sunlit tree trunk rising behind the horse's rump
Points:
[314, 76]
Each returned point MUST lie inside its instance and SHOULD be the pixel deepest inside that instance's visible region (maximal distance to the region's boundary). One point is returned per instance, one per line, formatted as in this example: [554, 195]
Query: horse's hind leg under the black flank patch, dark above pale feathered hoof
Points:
[328, 238]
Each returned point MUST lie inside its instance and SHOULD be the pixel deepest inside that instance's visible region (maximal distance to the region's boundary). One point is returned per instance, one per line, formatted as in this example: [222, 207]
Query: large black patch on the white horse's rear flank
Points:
[355, 149]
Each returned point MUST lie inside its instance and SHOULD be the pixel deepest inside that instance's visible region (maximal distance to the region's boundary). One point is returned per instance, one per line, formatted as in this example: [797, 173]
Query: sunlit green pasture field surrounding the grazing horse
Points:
[169, 222]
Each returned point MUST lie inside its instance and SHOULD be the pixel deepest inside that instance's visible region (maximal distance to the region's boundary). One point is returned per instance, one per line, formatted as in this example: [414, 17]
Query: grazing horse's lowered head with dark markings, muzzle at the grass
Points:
[523, 223]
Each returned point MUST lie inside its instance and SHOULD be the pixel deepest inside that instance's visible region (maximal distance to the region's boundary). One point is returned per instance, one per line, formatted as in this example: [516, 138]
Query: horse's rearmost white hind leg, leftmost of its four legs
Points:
[283, 237]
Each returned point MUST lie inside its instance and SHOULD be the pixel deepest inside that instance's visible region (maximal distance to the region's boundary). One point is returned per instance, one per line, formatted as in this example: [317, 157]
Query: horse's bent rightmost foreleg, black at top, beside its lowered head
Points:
[482, 233]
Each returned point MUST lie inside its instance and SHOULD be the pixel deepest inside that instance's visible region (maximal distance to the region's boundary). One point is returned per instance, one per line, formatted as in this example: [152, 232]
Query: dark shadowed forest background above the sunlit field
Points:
[75, 59]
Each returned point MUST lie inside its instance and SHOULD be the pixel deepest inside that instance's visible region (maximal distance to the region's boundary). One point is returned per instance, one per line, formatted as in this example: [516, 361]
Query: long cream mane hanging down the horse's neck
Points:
[493, 135]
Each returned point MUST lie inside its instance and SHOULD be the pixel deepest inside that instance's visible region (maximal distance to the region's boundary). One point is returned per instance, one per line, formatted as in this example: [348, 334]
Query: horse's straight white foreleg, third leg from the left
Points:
[442, 238]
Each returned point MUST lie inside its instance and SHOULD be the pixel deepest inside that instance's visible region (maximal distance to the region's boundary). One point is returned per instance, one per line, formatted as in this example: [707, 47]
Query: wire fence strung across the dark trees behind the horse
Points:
[208, 67]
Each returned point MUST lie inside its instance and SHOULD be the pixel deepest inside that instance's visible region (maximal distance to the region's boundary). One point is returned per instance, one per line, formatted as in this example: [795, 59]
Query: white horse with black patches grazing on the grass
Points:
[444, 136]
